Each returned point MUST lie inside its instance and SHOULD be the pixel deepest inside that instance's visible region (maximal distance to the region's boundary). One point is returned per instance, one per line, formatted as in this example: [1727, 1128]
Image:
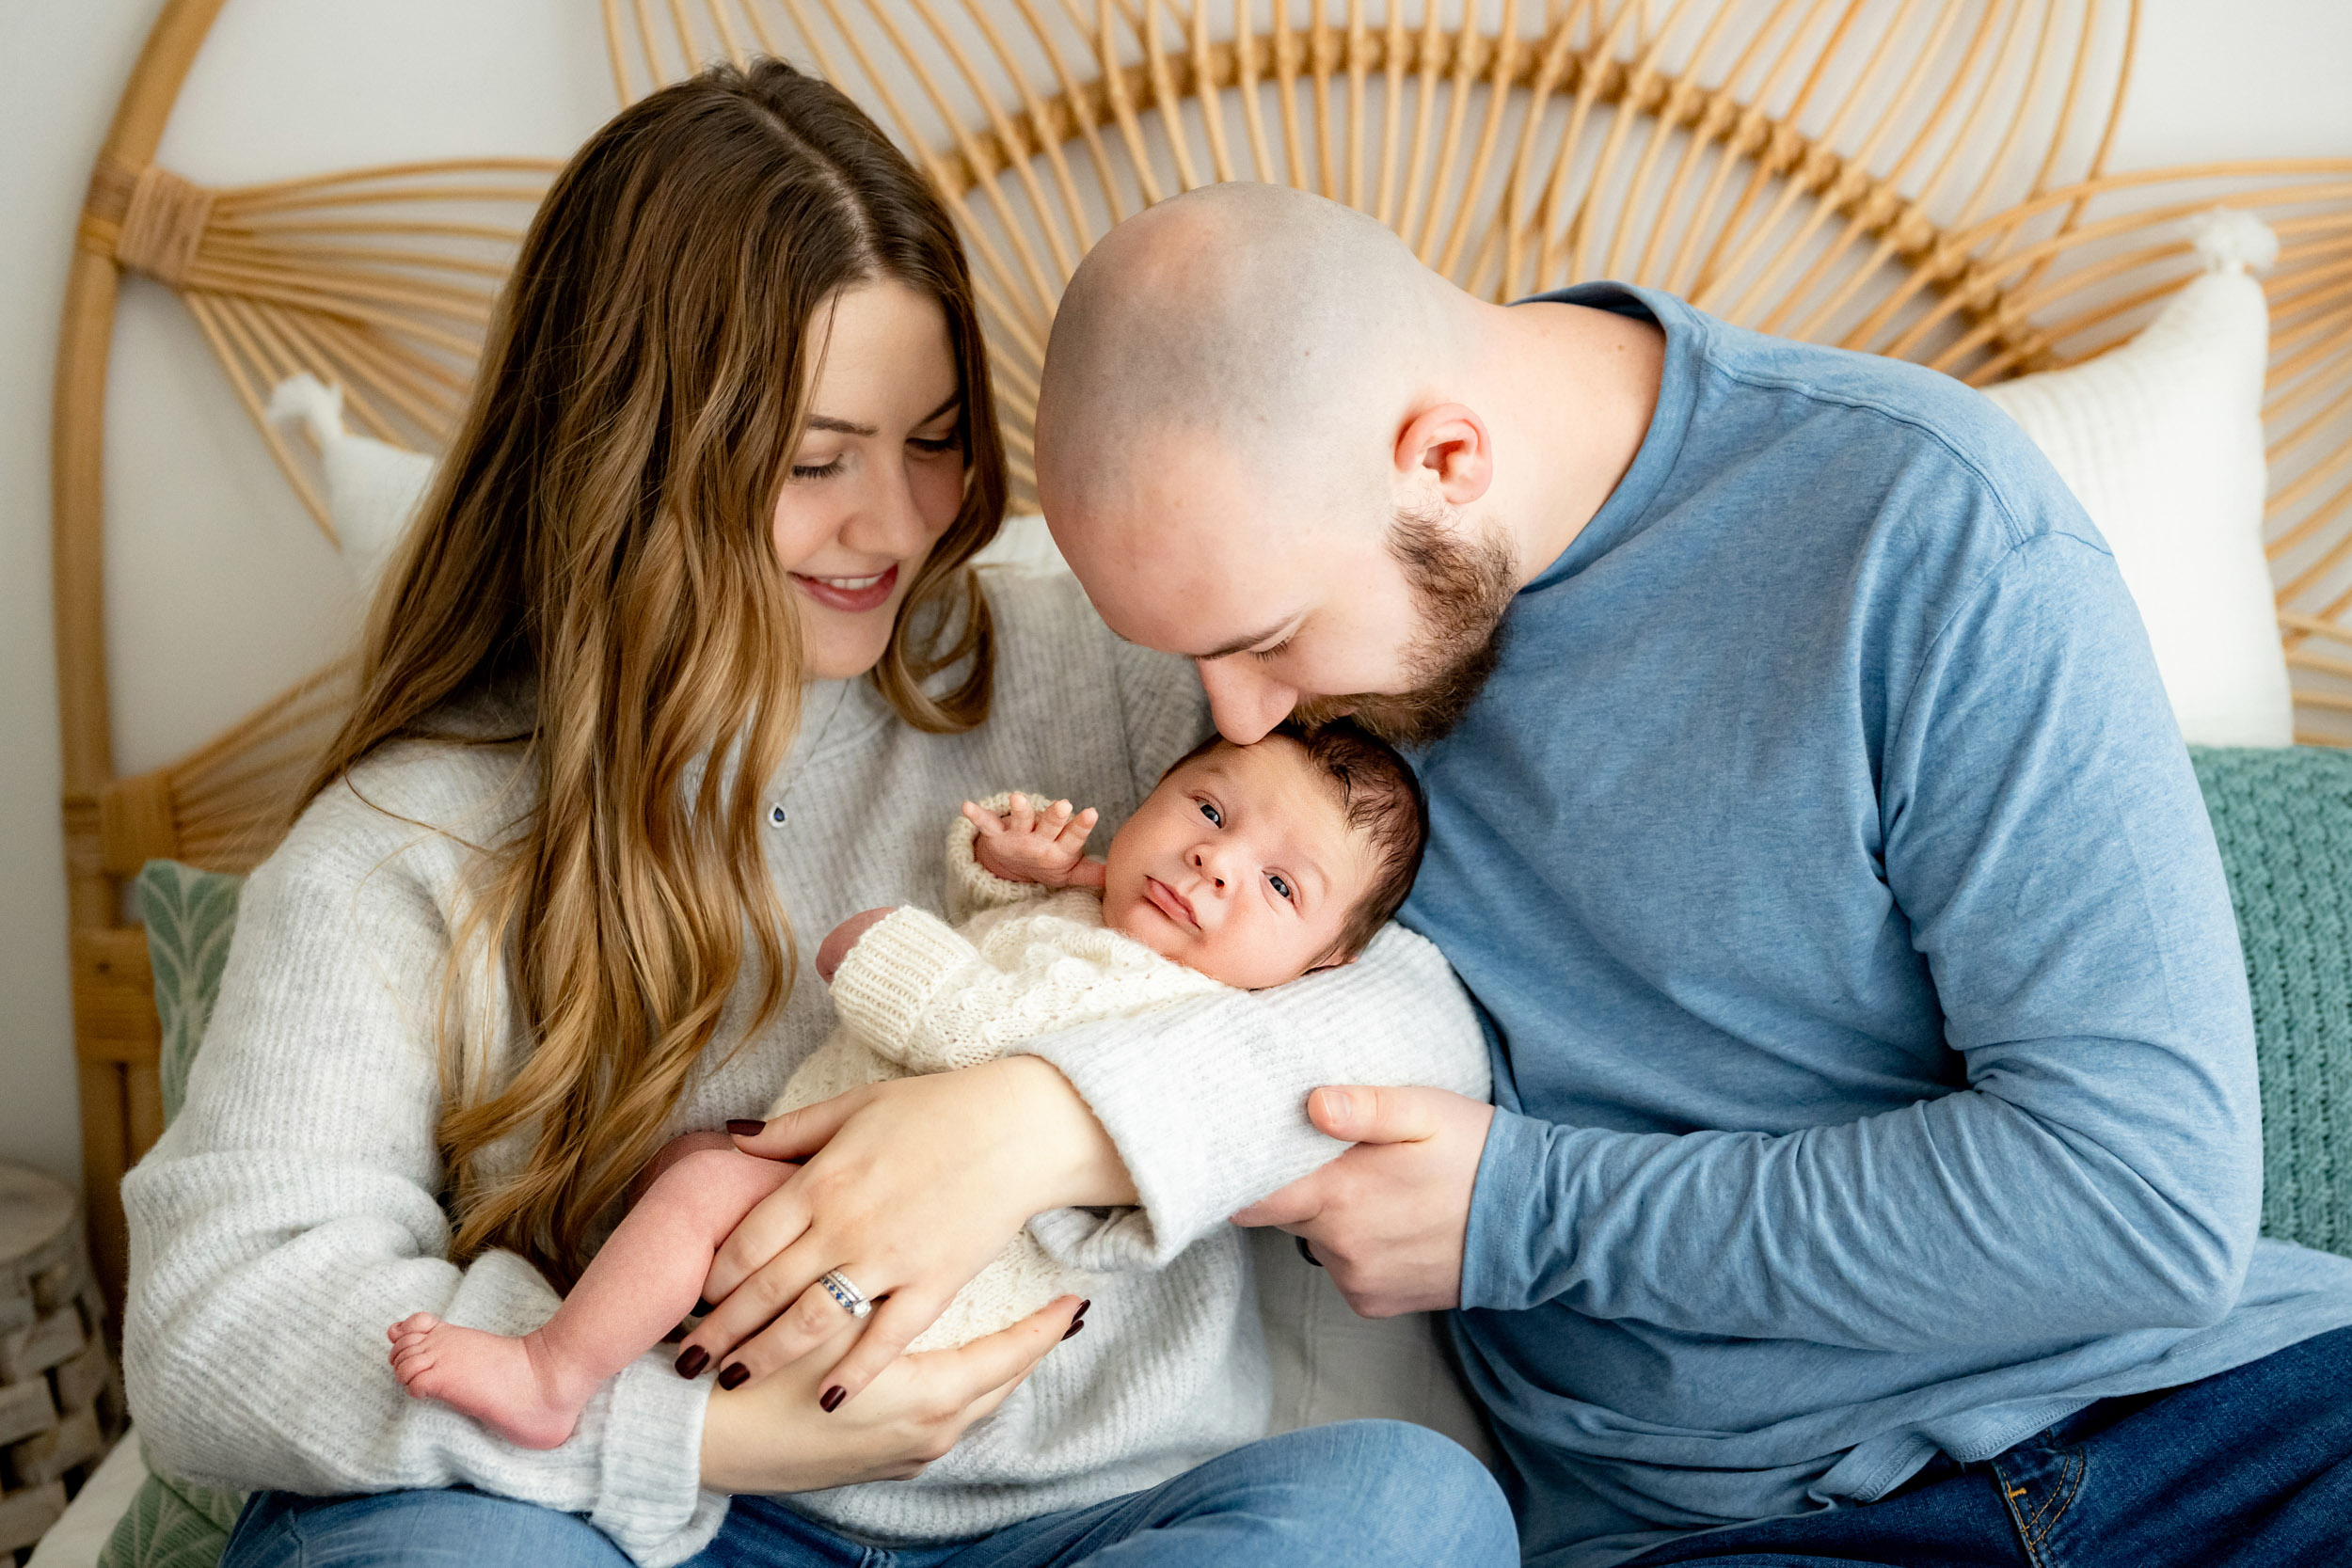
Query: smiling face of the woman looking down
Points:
[878, 474]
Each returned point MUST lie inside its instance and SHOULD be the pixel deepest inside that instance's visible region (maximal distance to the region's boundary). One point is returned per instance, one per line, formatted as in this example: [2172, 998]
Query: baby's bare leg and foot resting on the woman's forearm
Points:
[634, 1292]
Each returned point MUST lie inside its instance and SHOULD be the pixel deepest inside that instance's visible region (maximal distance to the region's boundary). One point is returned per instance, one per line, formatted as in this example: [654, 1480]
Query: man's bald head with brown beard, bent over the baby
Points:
[1252, 453]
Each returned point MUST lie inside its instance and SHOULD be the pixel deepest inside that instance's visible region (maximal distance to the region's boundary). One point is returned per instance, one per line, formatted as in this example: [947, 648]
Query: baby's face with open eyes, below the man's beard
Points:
[1238, 866]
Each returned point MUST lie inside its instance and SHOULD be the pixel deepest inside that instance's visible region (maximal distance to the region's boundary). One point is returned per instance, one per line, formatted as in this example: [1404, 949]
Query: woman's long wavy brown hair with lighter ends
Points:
[601, 540]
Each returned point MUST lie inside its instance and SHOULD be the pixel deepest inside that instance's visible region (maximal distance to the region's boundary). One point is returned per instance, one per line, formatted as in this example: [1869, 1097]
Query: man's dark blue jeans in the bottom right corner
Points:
[2243, 1470]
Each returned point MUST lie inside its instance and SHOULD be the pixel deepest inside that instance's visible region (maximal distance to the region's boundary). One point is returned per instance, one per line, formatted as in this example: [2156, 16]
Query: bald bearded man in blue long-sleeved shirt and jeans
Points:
[1876, 1127]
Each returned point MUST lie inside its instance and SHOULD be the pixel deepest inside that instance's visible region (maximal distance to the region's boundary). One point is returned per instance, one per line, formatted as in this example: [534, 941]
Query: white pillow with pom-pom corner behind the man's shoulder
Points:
[2163, 443]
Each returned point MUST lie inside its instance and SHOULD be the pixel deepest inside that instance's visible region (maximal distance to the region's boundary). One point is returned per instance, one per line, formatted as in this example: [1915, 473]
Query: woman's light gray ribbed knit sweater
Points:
[295, 1205]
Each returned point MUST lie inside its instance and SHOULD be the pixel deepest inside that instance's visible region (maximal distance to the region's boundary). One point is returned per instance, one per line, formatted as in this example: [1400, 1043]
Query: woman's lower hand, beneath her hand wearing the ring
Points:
[775, 1435]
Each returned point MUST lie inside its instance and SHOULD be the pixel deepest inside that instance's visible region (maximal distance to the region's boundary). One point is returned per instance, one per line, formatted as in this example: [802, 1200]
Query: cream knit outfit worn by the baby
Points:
[918, 996]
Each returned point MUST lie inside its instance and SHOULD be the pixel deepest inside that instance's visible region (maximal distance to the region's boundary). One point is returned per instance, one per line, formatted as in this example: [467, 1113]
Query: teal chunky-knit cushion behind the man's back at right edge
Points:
[2283, 819]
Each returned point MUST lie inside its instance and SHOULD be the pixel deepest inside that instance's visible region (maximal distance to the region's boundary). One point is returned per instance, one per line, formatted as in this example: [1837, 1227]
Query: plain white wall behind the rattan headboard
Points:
[222, 558]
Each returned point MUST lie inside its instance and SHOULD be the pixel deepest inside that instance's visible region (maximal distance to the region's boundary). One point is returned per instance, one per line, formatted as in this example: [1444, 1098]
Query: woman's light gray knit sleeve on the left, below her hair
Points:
[290, 1214]
